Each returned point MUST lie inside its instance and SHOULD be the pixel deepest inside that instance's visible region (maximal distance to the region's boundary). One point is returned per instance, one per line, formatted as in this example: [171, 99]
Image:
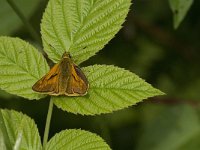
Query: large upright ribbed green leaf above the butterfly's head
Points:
[82, 27]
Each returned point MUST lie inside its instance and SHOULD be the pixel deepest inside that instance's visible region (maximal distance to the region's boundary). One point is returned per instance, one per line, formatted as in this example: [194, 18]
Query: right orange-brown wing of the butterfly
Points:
[77, 84]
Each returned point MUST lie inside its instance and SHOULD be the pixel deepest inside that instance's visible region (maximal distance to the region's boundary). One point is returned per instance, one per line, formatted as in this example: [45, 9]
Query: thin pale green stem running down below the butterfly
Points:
[47, 126]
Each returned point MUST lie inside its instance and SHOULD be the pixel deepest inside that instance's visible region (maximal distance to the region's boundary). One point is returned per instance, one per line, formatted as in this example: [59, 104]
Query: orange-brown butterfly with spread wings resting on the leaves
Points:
[64, 78]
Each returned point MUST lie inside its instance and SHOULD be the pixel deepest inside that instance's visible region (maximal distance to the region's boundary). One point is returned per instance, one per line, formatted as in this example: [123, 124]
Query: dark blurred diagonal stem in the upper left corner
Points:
[31, 30]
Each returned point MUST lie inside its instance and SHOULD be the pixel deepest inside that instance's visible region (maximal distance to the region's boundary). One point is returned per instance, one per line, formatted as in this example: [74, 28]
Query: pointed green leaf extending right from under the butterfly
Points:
[111, 88]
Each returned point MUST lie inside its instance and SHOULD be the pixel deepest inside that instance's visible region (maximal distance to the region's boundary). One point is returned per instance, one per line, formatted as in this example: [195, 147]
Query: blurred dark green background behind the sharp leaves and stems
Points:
[147, 45]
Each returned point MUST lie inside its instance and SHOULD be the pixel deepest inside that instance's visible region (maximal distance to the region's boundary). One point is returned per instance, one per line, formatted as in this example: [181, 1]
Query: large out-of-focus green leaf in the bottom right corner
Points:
[172, 128]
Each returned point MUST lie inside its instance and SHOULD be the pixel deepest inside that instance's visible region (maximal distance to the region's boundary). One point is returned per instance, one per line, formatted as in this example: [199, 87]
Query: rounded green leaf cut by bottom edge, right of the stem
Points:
[76, 140]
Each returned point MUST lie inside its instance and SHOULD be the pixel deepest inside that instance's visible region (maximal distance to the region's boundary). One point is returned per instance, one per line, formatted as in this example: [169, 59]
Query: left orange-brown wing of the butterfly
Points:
[49, 83]
